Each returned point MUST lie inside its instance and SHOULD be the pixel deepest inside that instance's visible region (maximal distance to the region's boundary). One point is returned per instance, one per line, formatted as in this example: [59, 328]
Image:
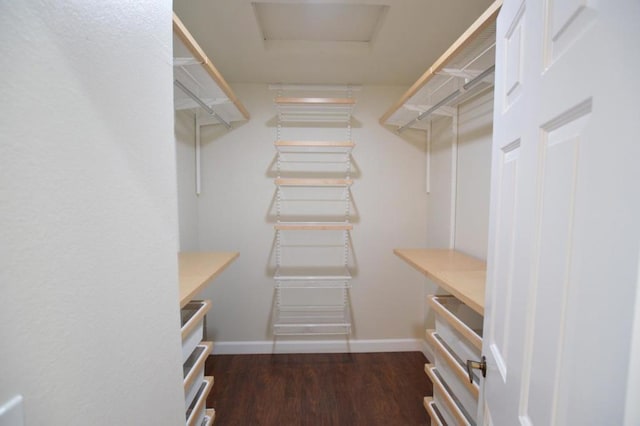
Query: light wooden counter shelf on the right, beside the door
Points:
[461, 275]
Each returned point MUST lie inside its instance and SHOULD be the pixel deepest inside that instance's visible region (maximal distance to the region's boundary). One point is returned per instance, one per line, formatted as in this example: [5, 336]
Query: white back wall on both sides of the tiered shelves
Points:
[387, 296]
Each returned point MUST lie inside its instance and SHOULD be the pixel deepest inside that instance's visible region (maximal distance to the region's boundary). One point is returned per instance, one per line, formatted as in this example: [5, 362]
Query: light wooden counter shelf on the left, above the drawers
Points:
[196, 269]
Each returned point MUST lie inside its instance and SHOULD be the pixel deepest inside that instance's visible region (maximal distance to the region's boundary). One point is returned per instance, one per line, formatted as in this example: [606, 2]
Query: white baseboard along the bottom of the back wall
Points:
[288, 345]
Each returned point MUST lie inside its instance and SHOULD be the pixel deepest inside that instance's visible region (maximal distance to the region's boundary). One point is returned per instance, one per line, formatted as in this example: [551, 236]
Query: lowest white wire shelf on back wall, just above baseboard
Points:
[312, 320]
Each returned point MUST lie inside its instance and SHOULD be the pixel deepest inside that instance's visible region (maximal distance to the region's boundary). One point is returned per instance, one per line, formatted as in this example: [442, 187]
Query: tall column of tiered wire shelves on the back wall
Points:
[313, 181]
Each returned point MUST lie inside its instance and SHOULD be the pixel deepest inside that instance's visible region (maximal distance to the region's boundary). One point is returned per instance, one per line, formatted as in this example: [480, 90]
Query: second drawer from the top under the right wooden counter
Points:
[454, 373]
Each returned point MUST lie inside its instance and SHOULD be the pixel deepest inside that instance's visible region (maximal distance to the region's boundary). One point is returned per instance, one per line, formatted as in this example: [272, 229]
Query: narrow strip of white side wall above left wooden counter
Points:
[186, 175]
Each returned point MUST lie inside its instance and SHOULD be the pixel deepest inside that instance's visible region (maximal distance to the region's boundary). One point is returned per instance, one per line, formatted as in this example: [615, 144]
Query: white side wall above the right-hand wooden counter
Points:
[460, 168]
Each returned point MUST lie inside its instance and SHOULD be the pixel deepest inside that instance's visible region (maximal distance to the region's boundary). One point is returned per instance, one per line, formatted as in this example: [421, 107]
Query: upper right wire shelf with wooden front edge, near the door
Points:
[447, 83]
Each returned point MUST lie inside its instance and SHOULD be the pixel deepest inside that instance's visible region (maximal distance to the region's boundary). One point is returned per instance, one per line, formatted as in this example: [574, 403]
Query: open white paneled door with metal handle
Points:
[565, 213]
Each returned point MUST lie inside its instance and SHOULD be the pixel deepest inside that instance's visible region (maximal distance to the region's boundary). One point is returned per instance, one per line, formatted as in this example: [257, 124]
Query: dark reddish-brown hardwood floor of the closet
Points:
[319, 389]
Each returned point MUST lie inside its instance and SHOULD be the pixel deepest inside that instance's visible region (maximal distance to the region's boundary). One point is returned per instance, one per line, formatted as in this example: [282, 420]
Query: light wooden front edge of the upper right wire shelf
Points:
[478, 26]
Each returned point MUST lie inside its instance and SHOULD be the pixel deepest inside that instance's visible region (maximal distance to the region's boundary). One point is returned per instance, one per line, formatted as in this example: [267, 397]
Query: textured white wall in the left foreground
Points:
[89, 317]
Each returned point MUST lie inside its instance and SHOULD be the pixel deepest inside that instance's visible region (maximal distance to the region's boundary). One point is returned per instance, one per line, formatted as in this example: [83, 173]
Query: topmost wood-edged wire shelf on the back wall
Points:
[314, 110]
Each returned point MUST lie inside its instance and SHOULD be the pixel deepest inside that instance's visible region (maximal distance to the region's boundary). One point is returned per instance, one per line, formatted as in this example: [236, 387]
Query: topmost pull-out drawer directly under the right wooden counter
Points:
[458, 325]
